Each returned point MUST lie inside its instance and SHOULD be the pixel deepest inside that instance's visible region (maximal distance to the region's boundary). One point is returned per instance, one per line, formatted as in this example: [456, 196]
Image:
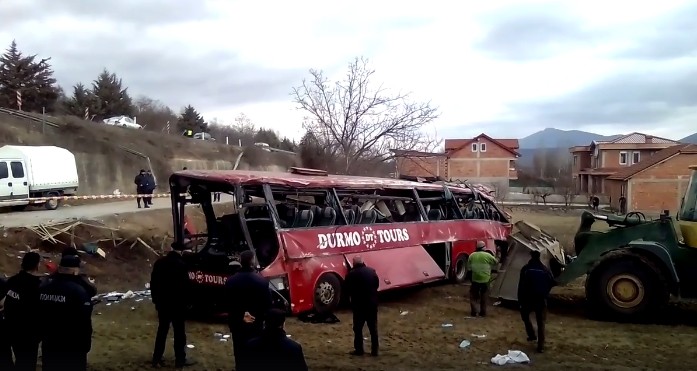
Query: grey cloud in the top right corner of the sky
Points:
[673, 36]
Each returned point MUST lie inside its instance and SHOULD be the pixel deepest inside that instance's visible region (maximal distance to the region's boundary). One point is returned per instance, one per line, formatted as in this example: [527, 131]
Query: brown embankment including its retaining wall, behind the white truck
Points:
[108, 157]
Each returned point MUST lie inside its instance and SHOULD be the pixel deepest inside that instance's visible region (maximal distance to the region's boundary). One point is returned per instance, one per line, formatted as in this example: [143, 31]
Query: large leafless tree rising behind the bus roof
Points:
[356, 121]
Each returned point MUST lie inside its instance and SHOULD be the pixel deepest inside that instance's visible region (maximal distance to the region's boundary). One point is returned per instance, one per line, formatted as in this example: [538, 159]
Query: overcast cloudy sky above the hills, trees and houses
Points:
[507, 68]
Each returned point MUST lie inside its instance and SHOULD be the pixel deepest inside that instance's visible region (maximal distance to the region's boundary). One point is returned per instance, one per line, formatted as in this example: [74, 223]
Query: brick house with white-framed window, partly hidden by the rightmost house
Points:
[593, 163]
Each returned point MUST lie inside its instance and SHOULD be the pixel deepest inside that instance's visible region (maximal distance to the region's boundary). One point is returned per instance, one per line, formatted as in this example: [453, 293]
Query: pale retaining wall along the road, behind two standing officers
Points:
[103, 175]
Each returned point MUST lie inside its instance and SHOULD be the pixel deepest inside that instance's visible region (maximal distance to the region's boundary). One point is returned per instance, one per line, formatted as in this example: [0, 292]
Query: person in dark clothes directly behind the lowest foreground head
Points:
[248, 300]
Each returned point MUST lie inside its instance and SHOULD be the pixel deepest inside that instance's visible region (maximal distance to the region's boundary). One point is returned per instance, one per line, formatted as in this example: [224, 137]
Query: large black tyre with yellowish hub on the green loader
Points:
[626, 289]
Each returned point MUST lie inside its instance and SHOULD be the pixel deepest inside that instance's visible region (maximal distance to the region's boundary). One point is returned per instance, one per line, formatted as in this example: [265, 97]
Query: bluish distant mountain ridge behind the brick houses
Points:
[556, 140]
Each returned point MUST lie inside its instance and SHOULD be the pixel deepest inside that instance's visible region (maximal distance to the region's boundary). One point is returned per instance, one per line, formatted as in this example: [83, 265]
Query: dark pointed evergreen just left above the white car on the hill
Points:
[111, 98]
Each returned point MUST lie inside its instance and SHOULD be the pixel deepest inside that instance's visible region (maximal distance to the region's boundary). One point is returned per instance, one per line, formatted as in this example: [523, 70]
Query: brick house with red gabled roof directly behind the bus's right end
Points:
[481, 159]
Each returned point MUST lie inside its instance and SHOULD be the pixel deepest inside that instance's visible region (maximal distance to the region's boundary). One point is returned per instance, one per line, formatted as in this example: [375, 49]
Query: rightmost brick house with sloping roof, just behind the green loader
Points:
[656, 183]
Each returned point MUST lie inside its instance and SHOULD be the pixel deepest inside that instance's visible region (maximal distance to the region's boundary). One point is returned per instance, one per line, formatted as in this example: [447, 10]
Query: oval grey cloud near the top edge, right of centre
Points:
[528, 32]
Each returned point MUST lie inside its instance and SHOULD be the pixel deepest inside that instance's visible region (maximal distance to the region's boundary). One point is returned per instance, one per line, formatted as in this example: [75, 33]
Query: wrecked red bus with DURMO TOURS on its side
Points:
[305, 227]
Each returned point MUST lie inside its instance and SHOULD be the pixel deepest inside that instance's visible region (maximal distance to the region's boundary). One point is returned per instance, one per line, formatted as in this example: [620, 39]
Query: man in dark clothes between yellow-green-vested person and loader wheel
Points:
[536, 280]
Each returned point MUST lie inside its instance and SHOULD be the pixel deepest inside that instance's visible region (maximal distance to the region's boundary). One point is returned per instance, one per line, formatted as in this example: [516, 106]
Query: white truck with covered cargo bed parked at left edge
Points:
[36, 171]
